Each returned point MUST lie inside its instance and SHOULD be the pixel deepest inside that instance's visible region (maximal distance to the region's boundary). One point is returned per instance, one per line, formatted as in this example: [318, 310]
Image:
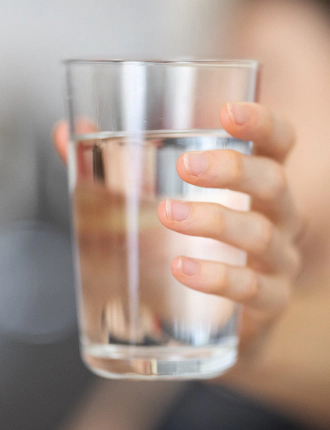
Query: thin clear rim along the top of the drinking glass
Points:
[239, 63]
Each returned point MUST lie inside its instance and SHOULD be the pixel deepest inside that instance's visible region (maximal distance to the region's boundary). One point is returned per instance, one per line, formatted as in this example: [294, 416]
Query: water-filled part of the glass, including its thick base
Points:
[136, 320]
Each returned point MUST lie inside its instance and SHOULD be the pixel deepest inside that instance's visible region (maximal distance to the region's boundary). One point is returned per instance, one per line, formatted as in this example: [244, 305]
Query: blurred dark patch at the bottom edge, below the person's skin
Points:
[213, 407]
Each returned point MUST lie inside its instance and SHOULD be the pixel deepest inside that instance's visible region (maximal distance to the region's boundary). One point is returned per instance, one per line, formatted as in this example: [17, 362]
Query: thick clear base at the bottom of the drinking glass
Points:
[155, 363]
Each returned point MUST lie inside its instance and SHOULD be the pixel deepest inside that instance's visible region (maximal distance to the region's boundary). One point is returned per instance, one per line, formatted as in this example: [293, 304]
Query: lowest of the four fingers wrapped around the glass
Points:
[240, 284]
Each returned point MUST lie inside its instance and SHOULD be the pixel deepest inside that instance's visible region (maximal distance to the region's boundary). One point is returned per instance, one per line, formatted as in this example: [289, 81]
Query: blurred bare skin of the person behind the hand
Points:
[291, 39]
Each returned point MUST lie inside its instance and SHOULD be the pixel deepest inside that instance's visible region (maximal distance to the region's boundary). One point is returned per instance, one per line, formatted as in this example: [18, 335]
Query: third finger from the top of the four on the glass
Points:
[249, 231]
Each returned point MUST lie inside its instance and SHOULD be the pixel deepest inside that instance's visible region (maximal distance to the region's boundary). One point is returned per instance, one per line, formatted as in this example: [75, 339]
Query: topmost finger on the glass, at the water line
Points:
[272, 136]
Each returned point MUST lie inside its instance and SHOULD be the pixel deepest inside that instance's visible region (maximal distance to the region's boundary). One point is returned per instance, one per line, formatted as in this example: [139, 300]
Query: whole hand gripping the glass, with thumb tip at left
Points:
[268, 232]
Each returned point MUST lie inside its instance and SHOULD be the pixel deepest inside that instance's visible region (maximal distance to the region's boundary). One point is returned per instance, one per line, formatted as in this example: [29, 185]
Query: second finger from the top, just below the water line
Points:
[233, 170]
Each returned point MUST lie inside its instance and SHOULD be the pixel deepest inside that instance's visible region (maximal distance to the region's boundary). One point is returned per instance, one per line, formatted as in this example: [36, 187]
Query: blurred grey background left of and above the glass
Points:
[41, 376]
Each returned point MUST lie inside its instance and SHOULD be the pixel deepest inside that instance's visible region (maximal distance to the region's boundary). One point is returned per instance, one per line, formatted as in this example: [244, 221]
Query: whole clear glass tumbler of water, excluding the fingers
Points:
[129, 122]
